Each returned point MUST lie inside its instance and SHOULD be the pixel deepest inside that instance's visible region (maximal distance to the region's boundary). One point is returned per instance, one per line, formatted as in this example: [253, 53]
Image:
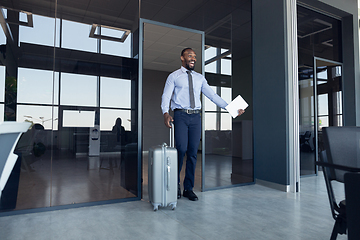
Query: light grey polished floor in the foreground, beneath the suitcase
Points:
[247, 212]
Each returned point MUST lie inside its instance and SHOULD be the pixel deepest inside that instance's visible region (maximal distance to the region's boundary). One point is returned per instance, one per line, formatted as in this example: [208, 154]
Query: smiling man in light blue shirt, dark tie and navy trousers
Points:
[182, 90]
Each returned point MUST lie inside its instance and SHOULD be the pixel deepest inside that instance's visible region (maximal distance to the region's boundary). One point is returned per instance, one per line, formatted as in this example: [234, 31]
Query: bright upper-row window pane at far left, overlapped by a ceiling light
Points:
[42, 32]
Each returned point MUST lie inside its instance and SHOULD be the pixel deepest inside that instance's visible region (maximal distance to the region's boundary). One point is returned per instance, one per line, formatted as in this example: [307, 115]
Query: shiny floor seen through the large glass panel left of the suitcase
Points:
[68, 180]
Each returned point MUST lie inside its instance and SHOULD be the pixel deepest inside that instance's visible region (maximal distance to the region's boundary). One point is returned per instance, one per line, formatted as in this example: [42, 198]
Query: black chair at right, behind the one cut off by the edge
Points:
[342, 150]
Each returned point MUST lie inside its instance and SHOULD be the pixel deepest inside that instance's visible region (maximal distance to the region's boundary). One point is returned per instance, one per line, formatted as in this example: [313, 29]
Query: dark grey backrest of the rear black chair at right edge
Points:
[342, 145]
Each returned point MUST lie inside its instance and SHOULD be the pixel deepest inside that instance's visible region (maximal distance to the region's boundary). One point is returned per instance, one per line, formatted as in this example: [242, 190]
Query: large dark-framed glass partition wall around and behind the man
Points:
[71, 69]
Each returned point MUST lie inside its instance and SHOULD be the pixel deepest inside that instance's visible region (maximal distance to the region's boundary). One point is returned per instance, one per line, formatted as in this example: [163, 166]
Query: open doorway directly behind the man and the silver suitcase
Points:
[159, 56]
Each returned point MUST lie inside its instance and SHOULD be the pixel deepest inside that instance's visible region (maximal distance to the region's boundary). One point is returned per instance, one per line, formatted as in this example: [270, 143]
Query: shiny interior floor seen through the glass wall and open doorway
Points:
[68, 179]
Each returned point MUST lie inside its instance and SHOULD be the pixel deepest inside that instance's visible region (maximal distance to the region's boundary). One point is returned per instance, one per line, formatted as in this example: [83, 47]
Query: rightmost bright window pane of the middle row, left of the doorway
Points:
[115, 93]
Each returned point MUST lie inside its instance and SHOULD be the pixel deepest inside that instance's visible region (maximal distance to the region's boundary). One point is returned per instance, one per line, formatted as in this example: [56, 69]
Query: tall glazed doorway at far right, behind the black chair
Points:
[320, 81]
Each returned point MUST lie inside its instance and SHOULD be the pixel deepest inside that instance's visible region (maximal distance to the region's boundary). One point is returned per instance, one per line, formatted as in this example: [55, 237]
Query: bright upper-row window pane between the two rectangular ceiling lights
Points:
[76, 36]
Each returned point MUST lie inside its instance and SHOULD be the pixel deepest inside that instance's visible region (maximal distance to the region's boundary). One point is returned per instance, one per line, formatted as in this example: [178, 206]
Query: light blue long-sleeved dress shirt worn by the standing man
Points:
[176, 91]
